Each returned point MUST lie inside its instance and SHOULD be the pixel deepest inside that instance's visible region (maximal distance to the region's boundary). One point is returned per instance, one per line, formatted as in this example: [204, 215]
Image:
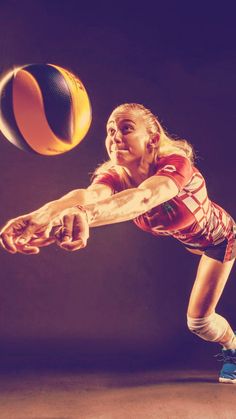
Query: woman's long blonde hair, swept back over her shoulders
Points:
[166, 144]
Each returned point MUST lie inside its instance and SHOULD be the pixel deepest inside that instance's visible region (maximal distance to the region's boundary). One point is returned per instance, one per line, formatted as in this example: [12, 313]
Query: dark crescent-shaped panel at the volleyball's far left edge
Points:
[8, 118]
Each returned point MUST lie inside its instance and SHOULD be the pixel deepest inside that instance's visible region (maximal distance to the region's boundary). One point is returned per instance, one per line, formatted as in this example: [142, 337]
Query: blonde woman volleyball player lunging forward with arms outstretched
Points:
[150, 178]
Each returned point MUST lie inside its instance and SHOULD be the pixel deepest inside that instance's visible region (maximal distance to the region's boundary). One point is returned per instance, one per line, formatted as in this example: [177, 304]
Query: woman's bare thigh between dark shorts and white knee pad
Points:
[210, 281]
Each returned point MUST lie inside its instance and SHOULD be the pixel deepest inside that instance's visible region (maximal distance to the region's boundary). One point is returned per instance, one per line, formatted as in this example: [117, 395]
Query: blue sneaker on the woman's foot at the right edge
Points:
[228, 370]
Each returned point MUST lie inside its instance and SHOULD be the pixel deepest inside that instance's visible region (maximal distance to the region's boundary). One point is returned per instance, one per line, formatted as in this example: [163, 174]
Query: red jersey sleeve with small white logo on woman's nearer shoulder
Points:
[176, 167]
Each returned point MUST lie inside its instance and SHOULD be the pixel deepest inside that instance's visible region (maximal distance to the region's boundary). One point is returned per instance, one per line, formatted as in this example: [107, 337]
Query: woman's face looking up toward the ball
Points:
[127, 138]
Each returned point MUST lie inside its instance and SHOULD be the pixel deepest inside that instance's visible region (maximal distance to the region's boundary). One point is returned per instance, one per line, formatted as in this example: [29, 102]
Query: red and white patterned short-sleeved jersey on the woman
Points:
[191, 217]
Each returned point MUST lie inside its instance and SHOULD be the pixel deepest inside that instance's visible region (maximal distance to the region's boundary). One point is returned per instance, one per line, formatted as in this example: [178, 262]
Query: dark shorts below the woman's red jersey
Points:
[224, 251]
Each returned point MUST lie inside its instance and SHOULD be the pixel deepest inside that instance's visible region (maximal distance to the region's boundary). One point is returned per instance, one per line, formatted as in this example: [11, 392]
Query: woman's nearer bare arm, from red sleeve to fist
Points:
[73, 232]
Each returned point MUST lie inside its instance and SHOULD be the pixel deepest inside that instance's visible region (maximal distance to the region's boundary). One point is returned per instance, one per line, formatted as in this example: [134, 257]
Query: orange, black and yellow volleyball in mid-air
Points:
[44, 109]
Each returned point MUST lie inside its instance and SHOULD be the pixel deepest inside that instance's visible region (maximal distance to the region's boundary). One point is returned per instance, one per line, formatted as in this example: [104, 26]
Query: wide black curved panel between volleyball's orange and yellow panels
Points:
[56, 98]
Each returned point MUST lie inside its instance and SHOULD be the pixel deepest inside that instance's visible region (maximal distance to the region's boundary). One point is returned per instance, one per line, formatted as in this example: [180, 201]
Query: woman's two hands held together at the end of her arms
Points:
[27, 233]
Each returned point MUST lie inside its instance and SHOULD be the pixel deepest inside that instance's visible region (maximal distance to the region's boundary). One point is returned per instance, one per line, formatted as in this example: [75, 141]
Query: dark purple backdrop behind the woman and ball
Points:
[123, 299]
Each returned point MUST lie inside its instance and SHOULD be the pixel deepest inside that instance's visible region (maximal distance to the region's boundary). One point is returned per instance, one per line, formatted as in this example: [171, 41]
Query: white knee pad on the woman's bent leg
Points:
[211, 328]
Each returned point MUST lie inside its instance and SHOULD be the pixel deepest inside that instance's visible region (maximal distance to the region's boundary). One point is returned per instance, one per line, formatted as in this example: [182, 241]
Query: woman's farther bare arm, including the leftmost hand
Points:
[17, 233]
